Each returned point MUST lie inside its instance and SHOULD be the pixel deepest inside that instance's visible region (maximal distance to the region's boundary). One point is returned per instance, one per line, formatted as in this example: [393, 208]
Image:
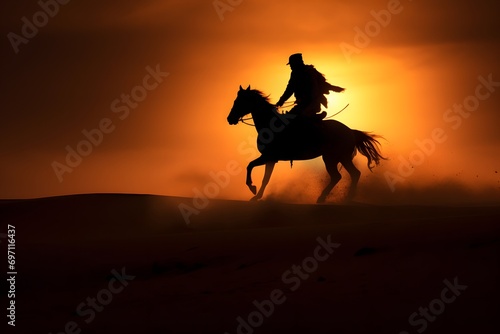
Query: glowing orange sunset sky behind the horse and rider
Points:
[400, 85]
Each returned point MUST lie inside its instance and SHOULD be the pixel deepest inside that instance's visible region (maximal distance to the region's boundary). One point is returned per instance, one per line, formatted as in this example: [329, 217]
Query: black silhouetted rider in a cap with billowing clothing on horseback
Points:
[309, 87]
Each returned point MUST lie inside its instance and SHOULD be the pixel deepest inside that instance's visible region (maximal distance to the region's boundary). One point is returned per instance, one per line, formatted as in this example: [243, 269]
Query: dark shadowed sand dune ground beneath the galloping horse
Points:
[234, 268]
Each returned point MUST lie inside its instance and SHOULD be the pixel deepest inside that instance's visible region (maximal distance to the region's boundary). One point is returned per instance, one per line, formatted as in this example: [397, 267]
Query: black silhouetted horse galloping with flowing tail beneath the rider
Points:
[285, 137]
